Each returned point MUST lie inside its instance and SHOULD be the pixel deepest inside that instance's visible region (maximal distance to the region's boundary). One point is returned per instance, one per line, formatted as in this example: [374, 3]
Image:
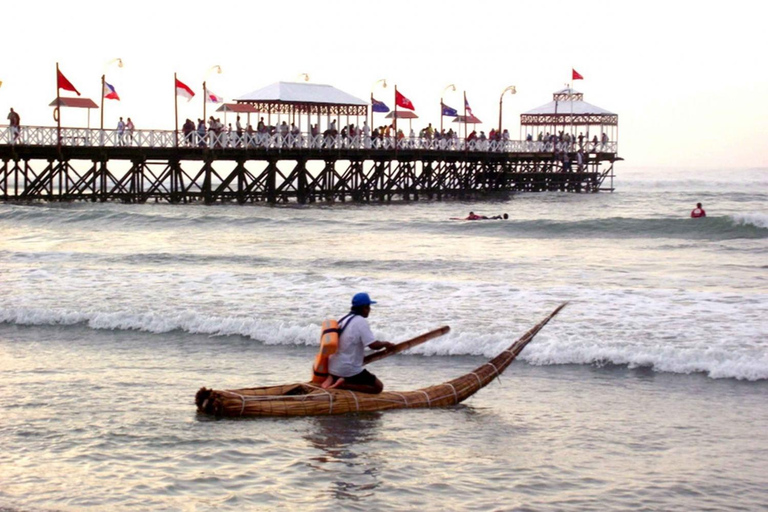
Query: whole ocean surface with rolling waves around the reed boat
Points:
[647, 392]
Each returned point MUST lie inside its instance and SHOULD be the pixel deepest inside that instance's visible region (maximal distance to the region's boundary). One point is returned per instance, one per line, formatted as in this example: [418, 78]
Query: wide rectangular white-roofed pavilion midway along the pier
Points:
[301, 101]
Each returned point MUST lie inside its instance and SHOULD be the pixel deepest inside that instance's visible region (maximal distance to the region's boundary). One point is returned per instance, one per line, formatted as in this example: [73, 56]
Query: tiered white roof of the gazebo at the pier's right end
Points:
[568, 105]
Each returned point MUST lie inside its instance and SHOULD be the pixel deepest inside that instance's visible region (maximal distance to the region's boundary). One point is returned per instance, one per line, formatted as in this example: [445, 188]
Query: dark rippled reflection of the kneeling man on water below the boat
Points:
[354, 470]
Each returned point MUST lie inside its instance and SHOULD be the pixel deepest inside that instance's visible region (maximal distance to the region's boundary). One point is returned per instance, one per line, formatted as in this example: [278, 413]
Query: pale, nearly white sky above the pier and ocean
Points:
[687, 79]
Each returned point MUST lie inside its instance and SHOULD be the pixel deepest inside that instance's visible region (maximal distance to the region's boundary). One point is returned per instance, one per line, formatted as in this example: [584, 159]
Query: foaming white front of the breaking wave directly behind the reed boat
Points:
[555, 347]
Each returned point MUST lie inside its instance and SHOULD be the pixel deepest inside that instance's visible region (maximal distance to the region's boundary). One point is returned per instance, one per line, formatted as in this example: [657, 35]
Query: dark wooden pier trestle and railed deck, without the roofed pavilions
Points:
[45, 164]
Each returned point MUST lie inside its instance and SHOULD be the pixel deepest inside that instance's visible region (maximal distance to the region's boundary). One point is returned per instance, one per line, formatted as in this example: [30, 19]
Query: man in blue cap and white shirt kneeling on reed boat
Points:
[346, 365]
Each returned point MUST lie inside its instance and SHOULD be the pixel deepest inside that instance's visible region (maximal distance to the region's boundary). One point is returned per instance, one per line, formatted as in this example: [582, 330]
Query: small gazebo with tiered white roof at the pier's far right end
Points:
[569, 113]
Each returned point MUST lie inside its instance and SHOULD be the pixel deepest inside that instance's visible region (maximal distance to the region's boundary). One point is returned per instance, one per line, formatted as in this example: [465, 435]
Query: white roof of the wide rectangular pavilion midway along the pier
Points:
[284, 97]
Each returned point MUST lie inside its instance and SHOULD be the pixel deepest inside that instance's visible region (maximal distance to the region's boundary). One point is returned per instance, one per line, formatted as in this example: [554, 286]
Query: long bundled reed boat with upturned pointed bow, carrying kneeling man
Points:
[308, 399]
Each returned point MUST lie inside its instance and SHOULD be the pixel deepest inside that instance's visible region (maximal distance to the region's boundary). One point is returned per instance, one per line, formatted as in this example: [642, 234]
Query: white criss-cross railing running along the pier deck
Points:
[86, 137]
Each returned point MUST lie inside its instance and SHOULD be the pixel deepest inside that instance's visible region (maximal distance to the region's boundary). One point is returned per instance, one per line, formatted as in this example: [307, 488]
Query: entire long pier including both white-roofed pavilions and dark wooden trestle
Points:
[282, 164]
